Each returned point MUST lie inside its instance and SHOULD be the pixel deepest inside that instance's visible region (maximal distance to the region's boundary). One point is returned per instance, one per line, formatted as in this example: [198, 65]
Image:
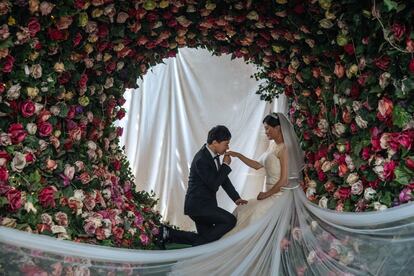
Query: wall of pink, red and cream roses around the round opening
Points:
[347, 67]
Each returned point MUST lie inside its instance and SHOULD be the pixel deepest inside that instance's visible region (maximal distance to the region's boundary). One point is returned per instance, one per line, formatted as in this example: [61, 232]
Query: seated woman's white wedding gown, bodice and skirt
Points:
[256, 209]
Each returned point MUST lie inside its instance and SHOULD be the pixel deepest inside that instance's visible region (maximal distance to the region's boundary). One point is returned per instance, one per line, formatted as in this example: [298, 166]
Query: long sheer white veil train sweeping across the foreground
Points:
[295, 238]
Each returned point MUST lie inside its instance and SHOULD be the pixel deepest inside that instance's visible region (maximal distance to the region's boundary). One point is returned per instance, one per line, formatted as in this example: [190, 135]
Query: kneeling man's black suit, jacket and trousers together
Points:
[212, 222]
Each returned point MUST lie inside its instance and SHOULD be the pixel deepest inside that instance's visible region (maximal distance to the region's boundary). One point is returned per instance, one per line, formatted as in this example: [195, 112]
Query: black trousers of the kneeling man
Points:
[211, 226]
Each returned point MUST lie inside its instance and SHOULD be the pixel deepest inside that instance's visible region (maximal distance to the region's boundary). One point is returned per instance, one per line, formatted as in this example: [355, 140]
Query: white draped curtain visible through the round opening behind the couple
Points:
[168, 118]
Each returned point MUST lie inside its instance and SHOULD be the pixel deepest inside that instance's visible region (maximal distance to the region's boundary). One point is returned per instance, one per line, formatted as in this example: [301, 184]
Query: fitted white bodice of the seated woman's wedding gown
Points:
[271, 163]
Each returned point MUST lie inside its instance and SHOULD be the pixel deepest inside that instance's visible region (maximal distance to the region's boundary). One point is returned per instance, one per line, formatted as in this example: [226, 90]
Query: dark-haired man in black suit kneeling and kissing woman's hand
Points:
[206, 176]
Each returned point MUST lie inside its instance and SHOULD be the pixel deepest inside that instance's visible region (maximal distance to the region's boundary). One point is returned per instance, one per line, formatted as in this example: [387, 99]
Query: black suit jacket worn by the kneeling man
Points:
[204, 182]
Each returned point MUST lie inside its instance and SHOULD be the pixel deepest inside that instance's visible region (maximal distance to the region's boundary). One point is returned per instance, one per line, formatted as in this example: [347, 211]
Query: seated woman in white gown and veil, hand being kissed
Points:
[276, 163]
